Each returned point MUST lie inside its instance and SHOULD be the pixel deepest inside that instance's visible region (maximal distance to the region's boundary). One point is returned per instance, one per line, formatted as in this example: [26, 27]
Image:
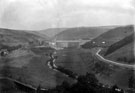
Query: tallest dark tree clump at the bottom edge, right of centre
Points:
[85, 84]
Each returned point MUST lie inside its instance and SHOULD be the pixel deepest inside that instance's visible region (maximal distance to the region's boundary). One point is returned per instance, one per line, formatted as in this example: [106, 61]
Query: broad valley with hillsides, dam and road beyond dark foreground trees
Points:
[79, 52]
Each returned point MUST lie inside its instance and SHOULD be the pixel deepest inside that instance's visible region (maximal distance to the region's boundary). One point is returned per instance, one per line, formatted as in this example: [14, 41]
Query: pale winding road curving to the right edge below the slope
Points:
[101, 58]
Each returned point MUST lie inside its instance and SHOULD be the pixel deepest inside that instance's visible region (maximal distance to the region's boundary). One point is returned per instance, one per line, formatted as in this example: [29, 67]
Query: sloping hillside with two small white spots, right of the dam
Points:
[110, 37]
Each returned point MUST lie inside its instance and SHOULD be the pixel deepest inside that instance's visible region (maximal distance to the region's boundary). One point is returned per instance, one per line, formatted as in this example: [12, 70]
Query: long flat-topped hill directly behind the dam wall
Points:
[81, 33]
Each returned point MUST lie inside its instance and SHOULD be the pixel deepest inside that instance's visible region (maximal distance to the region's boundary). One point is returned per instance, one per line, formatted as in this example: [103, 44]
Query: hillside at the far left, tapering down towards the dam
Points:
[15, 37]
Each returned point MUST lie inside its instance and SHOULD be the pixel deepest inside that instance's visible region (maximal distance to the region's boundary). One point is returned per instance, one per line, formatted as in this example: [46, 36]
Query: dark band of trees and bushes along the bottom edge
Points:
[85, 84]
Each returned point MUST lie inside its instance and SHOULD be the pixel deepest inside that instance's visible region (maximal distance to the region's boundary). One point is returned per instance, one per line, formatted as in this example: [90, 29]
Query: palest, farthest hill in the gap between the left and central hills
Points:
[51, 32]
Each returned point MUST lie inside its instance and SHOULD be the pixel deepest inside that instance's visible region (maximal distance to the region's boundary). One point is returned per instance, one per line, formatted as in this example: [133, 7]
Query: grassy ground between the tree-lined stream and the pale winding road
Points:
[82, 61]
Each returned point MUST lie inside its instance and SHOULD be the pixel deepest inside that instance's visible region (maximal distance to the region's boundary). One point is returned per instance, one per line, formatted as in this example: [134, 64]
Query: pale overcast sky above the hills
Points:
[43, 14]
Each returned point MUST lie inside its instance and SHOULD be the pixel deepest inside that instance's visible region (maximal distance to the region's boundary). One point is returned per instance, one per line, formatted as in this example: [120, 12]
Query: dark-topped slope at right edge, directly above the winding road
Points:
[122, 51]
